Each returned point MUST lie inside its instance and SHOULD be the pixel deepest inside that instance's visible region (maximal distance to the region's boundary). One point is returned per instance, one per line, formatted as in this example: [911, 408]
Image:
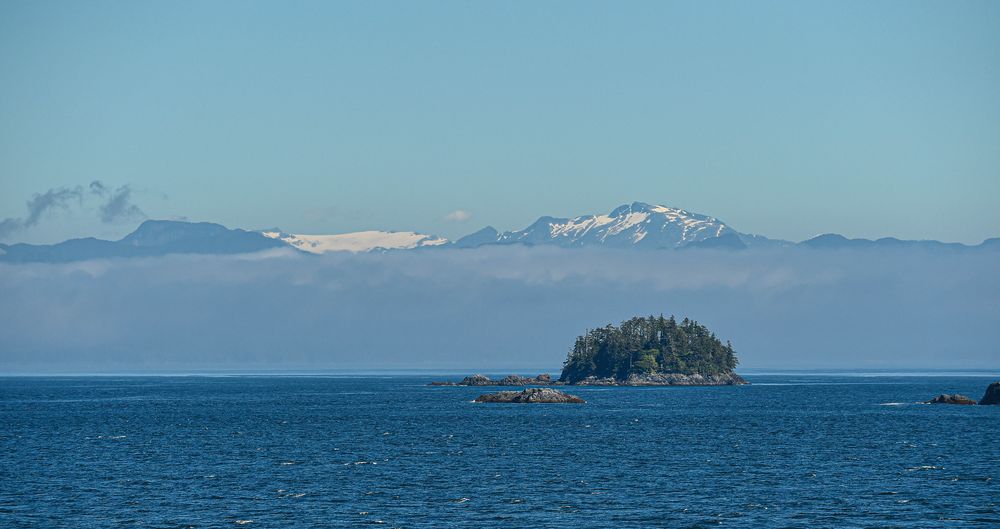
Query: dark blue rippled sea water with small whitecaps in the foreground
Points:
[788, 451]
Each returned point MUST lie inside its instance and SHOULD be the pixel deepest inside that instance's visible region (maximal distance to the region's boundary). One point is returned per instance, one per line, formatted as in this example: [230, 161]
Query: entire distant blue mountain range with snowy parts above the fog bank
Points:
[629, 226]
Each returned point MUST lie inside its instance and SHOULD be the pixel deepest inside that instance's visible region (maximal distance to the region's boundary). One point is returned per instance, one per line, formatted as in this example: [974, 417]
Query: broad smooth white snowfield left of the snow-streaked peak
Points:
[362, 241]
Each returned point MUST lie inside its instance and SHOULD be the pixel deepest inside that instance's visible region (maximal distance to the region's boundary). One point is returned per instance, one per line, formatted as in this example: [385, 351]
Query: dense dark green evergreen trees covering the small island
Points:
[647, 346]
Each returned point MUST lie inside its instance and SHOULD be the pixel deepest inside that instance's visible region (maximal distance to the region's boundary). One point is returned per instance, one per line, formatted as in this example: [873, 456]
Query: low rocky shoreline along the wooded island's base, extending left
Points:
[656, 379]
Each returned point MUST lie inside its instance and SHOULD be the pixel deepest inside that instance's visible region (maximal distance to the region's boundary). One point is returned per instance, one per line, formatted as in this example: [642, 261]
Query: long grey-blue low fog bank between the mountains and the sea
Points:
[495, 308]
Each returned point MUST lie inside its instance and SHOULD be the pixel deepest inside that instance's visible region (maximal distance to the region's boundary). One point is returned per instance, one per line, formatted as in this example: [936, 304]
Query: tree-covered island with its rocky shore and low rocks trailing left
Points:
[642, 351]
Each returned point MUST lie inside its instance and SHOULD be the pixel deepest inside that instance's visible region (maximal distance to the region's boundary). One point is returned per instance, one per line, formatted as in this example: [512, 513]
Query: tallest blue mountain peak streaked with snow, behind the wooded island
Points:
[631, 225]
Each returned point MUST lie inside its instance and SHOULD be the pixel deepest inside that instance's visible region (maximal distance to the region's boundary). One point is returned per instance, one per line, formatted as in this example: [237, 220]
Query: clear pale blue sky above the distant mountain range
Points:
[782, 118]
